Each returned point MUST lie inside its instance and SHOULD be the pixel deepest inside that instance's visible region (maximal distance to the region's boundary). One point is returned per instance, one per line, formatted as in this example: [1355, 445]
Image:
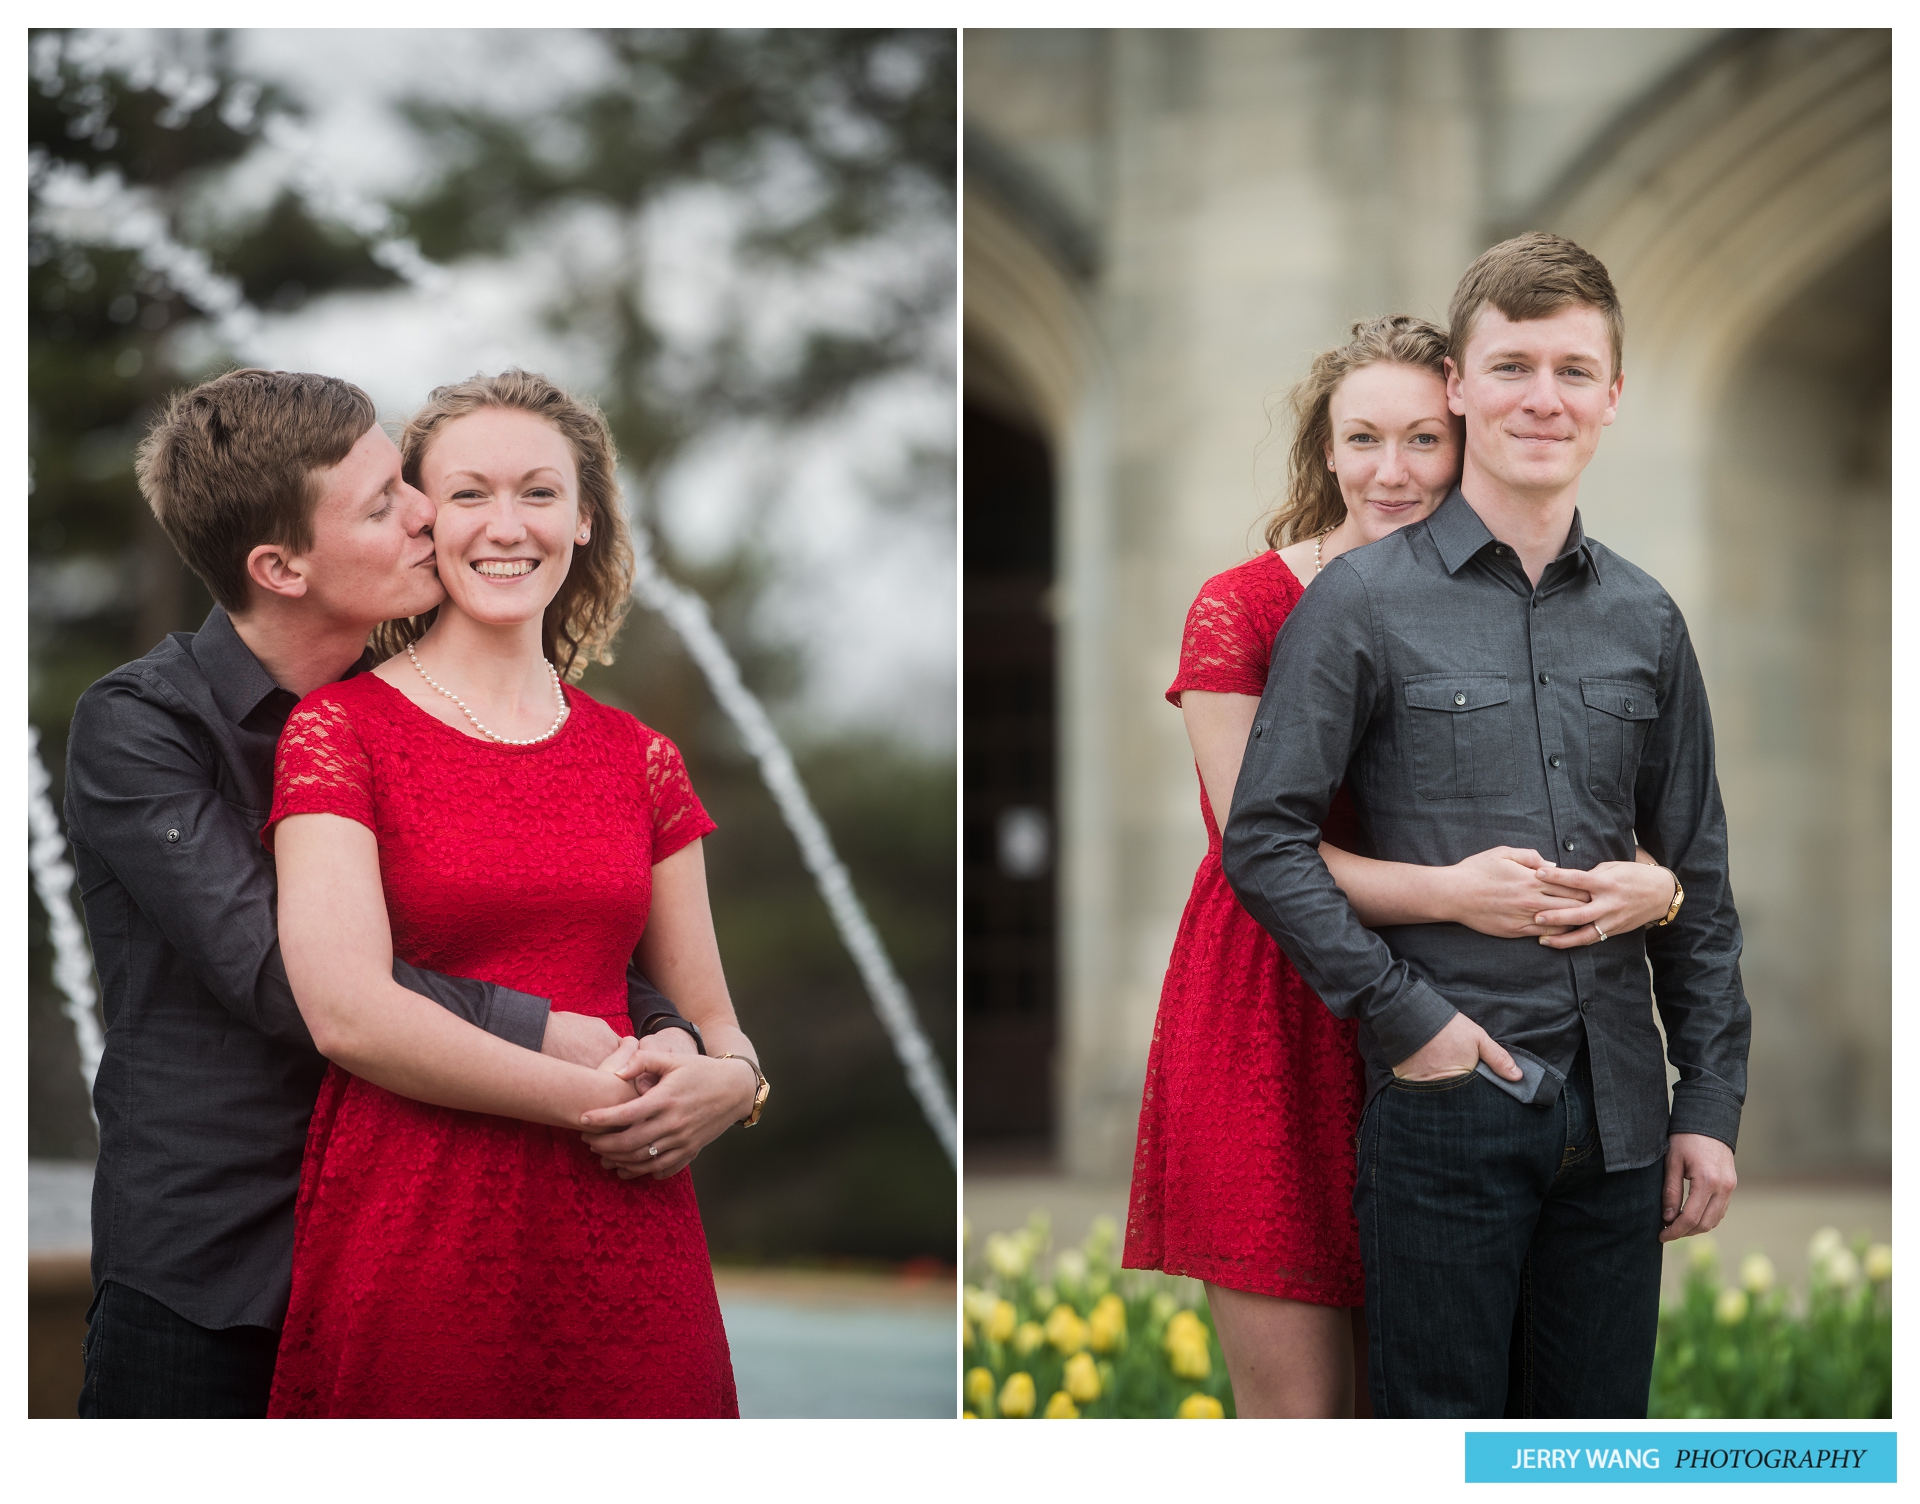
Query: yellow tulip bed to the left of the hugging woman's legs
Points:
[1076, 1336]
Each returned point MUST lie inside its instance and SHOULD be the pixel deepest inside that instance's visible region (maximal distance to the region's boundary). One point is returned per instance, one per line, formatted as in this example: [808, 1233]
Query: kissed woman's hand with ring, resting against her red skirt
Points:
[696, 1100]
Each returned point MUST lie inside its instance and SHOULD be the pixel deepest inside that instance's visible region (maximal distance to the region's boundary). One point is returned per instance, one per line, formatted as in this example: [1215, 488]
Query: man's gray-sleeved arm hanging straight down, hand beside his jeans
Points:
[1696, 959]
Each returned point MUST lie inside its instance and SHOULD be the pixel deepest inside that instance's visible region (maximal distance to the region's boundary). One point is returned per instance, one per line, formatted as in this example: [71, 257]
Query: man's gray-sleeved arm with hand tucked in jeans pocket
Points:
[1322, 692]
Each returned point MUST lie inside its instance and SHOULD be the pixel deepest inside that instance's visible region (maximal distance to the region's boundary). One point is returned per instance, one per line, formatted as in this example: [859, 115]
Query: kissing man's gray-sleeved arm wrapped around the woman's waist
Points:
[143, 796]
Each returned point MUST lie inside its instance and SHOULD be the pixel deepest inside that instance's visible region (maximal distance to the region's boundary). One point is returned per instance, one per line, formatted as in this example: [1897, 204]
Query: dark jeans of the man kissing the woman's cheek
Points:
[145, 1361]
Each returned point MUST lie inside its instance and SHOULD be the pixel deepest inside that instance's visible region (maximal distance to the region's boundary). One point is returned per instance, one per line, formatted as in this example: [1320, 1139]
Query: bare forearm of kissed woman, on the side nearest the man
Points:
[339, 958]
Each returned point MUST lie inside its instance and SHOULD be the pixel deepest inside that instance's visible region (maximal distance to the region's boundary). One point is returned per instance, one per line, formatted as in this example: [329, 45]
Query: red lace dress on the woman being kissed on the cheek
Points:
[456, 1263]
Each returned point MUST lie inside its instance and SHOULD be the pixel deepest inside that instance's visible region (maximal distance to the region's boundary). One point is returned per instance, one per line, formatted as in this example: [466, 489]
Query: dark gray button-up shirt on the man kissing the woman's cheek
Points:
[210, 1075]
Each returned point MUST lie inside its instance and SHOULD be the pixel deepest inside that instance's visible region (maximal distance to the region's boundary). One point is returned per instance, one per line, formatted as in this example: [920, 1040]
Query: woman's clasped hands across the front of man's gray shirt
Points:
[1514, 892]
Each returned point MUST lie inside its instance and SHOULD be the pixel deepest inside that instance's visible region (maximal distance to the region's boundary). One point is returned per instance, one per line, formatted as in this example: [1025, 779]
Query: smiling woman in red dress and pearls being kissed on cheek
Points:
[458, 1248]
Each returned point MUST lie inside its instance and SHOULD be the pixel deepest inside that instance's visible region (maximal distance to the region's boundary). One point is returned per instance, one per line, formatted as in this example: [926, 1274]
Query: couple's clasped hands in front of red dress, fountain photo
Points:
[683, 1100]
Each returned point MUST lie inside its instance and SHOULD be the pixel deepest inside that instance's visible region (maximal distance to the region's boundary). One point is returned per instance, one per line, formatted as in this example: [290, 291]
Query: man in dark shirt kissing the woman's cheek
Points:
[287, 498]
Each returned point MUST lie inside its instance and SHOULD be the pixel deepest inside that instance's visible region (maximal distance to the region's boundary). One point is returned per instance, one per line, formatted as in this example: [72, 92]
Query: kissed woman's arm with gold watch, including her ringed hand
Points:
[698, 1098]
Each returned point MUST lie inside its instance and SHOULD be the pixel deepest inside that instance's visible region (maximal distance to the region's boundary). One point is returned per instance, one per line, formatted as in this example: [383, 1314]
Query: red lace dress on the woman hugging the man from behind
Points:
[1243, 1173]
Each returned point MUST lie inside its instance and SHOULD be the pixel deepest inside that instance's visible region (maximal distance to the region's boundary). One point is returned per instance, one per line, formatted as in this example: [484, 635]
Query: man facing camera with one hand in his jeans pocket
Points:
[1495, 677]
